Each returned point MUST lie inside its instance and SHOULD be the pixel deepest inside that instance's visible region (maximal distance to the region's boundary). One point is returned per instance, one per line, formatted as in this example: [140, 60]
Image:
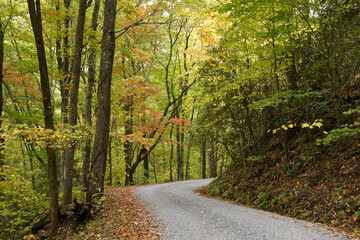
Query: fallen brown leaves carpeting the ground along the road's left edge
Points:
[123, 217]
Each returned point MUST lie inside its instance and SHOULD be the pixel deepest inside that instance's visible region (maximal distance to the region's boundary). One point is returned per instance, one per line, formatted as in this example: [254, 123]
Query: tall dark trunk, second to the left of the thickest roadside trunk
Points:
[74, 93]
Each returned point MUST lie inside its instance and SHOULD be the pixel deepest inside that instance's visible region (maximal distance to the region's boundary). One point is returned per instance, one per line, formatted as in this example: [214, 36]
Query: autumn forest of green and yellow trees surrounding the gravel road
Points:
[100, 93]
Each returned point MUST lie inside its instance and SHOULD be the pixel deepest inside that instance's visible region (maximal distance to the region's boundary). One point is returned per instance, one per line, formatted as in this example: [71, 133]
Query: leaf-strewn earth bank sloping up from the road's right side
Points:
[324, 189]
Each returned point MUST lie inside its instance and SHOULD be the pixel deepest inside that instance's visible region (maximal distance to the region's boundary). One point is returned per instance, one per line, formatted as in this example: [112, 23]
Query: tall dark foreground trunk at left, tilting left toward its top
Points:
[36, 22]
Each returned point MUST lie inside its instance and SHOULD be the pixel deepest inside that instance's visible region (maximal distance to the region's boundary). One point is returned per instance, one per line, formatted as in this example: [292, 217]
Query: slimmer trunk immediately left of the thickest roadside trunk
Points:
[89, 91]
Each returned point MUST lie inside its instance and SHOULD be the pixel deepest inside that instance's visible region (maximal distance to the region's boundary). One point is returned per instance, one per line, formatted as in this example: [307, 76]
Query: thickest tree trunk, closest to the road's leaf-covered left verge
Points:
[98, 160]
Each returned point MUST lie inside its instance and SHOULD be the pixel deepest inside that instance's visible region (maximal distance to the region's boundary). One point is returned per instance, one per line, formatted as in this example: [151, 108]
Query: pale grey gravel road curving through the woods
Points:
[185, 215]
